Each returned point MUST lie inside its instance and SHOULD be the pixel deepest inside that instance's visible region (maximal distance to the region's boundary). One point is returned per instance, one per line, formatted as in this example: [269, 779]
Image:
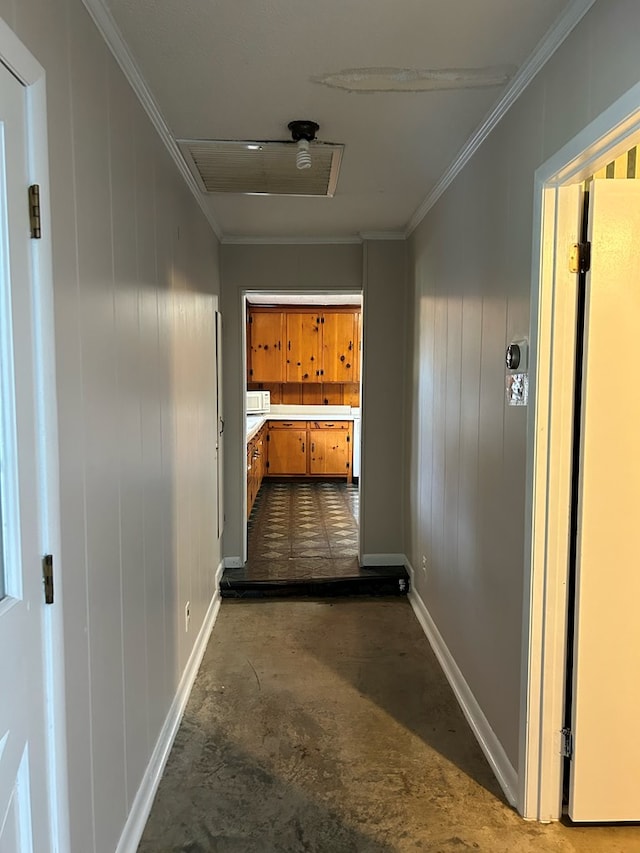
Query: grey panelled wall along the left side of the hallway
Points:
[135, 278]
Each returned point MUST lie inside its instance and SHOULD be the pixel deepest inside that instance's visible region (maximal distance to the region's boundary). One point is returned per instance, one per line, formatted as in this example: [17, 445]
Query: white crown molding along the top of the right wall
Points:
[545, 49]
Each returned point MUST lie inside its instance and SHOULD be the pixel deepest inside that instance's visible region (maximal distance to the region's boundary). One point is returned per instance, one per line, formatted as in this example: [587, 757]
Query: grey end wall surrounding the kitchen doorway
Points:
[377, 269]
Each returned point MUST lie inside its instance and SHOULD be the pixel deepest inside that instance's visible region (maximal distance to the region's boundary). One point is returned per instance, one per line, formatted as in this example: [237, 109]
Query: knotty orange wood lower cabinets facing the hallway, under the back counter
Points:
[310, 449]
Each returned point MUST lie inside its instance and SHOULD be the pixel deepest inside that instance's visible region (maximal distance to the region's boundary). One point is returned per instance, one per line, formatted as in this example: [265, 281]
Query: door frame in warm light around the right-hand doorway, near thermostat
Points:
[549, 448]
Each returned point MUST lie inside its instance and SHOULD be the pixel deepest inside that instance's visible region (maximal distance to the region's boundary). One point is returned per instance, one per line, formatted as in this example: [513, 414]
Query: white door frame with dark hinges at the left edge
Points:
[31, 74]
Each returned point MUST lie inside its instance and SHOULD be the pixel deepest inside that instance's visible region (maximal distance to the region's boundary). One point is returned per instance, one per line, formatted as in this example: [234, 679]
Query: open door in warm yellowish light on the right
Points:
[605, 768]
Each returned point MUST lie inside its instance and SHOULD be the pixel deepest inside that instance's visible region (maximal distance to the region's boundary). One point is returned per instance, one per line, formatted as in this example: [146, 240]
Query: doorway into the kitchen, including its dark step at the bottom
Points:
[302, 405]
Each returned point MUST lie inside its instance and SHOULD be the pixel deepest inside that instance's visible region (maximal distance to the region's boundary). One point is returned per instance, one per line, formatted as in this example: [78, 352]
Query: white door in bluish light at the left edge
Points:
[24, 816]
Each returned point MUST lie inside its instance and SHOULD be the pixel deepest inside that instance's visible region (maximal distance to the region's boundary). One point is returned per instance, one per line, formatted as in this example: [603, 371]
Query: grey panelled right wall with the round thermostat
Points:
[471, 273]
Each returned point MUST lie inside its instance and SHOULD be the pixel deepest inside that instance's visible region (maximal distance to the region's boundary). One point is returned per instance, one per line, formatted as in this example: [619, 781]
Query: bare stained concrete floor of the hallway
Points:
[328, 727]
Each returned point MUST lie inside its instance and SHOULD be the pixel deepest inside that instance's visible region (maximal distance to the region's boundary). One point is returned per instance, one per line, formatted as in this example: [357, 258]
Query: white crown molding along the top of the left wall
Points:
[110, 32]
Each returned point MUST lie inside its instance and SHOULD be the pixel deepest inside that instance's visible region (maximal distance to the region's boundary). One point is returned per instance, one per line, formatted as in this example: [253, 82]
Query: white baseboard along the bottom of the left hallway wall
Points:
[141, 806]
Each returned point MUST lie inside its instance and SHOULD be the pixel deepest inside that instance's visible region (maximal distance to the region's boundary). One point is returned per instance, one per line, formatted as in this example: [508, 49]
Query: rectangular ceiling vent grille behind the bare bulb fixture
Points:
[262, 168]
